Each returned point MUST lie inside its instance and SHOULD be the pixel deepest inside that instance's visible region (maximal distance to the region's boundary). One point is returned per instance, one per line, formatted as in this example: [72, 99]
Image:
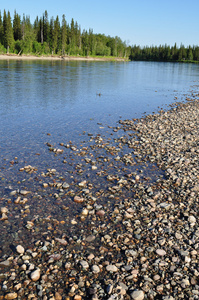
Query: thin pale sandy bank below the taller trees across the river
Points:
[53, 57]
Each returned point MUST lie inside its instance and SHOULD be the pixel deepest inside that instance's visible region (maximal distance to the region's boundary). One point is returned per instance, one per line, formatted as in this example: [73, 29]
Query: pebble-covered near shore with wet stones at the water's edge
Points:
[132, 237]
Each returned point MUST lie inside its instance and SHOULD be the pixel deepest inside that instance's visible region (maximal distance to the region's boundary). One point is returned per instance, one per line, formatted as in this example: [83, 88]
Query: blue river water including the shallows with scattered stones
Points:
[73, 103]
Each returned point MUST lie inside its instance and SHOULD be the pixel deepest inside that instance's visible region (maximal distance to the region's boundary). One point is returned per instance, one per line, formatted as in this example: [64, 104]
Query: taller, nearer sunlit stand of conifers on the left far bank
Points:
[55, 37]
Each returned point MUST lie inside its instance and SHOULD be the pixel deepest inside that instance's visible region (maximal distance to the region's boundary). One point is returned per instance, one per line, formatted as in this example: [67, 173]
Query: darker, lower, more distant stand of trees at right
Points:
[165, 53]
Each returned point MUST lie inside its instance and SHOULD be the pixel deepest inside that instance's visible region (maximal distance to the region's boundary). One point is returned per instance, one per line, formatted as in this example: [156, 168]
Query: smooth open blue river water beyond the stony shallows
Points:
[62, 98]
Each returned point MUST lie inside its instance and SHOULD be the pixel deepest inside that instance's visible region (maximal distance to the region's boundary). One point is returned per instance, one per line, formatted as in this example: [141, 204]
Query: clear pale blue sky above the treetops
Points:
[141, 22]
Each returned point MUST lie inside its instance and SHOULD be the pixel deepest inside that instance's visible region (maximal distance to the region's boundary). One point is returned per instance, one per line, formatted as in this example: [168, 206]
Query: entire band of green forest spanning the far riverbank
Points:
[60, 37]
